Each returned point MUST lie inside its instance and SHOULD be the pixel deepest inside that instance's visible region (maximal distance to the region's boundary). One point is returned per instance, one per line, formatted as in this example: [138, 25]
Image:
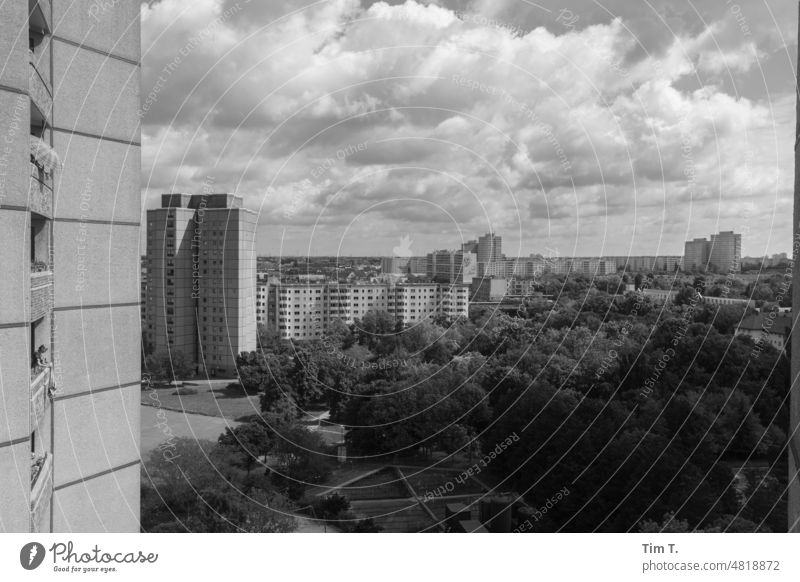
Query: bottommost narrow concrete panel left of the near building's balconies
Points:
[15, 483]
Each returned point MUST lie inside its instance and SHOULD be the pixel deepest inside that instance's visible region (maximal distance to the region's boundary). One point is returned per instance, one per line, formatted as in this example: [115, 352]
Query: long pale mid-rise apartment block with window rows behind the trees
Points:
[304, 312]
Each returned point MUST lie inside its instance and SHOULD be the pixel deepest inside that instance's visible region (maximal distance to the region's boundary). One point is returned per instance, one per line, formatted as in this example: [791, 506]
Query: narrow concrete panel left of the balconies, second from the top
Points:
[14, 146]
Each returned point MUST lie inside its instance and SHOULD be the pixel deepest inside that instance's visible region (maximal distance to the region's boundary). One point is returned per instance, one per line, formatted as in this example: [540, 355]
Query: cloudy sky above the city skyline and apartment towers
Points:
[569, 127]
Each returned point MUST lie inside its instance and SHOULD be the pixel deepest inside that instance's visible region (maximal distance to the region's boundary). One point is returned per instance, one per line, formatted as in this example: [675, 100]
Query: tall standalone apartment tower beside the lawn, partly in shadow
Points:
[201, 289]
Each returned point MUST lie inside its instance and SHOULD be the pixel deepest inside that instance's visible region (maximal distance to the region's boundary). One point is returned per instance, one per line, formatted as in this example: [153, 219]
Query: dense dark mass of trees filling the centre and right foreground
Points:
[653, 415]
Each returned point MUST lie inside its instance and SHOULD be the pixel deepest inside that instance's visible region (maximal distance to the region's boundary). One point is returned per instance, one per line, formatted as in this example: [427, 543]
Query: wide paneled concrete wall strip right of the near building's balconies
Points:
[96, 265]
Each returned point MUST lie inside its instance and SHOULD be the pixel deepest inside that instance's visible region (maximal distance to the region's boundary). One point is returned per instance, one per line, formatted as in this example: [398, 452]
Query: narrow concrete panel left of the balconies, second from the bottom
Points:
[15, 376]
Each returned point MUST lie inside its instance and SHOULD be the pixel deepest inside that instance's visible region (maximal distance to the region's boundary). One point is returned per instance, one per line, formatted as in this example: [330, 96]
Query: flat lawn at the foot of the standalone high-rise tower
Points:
[211, 398]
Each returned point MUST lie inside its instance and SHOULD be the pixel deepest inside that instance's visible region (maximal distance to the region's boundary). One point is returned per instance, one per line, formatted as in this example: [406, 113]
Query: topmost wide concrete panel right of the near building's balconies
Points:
[111, 27]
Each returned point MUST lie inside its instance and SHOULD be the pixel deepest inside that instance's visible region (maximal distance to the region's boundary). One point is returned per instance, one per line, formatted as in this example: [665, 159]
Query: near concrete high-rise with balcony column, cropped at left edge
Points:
[69, 223]
